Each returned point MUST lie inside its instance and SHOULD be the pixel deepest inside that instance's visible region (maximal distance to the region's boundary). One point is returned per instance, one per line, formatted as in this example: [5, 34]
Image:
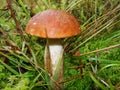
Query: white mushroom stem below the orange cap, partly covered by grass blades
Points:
[54, 62]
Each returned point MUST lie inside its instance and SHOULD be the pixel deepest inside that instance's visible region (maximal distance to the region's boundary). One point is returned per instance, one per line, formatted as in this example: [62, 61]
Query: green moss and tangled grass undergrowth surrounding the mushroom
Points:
[92, 59]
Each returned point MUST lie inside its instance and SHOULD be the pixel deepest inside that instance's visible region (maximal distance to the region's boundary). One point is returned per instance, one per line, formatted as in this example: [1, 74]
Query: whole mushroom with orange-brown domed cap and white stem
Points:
[53, 25]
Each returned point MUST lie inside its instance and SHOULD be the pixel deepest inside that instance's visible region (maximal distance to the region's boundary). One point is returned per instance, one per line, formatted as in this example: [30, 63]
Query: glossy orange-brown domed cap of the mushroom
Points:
[53, 24]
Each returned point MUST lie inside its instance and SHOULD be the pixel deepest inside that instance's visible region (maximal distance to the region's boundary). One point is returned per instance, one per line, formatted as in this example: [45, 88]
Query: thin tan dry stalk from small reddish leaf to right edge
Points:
[103, 49]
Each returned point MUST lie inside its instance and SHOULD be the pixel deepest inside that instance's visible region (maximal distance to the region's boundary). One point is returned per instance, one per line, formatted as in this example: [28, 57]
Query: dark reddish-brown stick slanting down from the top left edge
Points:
[19, 30]
